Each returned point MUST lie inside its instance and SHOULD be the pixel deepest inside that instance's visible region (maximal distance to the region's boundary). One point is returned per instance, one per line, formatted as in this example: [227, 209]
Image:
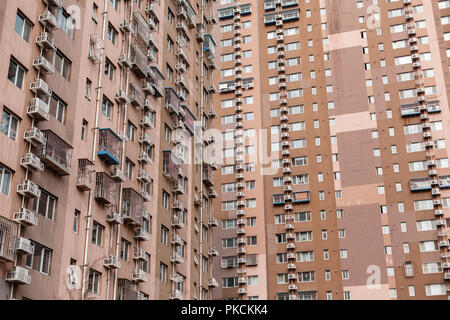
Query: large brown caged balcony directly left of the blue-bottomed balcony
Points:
[56, 154]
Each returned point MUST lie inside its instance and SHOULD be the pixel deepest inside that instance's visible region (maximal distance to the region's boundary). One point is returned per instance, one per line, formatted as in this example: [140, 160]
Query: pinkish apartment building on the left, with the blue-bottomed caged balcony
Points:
[99, 196]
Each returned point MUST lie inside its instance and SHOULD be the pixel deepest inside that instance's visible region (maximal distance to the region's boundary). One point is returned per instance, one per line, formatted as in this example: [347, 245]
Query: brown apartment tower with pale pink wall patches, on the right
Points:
[348, 198]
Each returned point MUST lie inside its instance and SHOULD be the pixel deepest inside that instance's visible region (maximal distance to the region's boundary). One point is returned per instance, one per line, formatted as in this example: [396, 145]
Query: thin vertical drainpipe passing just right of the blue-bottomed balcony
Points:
[122, 160]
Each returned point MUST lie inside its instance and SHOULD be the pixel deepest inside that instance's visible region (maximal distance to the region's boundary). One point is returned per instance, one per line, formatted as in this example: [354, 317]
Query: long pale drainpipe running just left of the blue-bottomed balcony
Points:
[94, 147]
